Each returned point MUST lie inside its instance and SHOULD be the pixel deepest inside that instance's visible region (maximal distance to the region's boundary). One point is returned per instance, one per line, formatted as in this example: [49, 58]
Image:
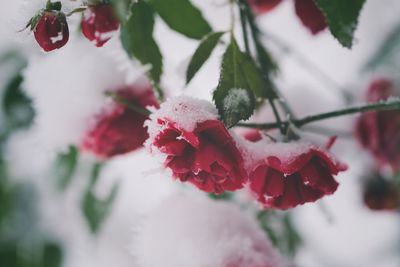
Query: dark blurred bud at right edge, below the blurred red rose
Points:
[381, 194]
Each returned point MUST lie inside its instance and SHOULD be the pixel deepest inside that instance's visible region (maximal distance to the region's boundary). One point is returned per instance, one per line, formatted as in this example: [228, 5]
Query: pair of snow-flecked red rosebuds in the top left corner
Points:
[51, 30]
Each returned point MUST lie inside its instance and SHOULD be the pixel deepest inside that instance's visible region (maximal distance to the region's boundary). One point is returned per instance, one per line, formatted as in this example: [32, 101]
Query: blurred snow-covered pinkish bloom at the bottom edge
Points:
[193, 232]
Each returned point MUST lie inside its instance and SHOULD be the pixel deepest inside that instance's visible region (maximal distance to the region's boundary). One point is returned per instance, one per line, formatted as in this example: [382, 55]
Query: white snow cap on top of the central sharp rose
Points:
[186, 111]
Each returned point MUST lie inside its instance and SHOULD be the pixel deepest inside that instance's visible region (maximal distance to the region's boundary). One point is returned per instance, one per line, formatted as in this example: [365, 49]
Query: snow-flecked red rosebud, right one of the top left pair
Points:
[98, 24]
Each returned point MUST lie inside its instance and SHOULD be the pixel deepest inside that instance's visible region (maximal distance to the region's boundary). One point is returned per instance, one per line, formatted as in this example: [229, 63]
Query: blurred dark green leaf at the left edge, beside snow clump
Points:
[17, 106]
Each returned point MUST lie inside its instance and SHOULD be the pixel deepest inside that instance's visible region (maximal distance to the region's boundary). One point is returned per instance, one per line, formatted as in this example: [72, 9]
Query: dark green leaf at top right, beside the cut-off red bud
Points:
[342, 18]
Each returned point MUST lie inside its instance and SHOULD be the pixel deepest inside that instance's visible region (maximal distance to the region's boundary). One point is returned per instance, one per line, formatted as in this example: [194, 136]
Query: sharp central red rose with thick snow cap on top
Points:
[198, 147]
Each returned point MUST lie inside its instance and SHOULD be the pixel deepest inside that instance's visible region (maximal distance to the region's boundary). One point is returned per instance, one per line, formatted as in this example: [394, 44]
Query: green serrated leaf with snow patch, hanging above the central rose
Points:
[240, 83]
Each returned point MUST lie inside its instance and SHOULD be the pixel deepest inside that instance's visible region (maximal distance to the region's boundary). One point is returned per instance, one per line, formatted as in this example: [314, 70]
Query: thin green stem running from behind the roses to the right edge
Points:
[328, 115]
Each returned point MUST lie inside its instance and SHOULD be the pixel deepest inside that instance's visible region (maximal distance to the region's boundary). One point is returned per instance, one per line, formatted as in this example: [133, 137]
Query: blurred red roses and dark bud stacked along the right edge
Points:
[379, 133]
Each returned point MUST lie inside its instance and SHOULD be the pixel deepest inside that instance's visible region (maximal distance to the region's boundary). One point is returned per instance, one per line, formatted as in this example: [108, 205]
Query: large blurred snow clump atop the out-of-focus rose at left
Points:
[67, 88]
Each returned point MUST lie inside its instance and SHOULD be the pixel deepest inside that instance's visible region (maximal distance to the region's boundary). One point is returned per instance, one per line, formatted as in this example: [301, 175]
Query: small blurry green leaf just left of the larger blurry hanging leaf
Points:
[65, 167]
